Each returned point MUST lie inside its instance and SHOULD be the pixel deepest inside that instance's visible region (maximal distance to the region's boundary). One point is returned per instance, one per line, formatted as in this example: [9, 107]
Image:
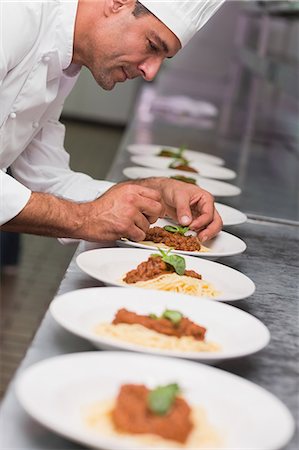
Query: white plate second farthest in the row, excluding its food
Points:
[204, 170]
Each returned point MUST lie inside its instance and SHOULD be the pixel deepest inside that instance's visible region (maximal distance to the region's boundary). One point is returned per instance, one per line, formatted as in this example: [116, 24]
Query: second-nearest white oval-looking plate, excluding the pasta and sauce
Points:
[237, 332]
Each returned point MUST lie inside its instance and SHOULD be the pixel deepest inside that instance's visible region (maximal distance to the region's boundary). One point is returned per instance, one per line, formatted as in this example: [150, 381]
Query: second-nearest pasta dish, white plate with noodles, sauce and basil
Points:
[224, 331]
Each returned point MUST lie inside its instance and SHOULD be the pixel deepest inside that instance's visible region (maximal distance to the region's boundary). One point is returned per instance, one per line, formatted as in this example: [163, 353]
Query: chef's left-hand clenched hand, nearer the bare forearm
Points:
[125, 210]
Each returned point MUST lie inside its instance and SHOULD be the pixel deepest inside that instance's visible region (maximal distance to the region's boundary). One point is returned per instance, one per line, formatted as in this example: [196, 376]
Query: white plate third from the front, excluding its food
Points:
[109, 265]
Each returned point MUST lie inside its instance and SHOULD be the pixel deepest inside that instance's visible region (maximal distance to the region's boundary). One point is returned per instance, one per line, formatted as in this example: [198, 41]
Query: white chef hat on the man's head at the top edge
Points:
[183, 17]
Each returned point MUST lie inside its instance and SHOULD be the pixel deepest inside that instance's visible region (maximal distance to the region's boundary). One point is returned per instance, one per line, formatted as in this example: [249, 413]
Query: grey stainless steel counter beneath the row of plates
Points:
[268, 177]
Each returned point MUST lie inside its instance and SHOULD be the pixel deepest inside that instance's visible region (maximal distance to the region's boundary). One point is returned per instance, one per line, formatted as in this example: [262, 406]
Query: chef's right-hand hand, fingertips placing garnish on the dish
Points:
[189, 205]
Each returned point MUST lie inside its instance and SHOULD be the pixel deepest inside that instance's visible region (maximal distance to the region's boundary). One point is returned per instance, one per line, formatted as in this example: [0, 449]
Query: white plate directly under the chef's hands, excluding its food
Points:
[224, 244]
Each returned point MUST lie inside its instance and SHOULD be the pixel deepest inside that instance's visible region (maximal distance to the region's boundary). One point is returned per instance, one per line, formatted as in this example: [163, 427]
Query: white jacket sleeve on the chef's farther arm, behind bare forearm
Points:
[44, 167]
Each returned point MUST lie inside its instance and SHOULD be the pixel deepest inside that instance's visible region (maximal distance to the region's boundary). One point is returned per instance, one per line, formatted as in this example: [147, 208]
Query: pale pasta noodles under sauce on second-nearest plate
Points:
[140, 335]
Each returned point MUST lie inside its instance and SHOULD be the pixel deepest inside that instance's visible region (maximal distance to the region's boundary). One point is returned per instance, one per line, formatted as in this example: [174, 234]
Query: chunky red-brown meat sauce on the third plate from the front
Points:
[153, 268]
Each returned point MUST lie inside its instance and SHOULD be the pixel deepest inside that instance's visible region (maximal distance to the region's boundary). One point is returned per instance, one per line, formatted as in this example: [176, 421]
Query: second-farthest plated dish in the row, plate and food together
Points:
[188, 168]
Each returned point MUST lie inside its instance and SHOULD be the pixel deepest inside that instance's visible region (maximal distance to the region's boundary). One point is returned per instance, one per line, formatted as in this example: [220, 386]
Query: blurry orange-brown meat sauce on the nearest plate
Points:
[132, 415]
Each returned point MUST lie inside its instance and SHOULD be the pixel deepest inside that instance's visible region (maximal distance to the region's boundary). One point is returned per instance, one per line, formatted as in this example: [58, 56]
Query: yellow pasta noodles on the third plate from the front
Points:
[178, 283]
